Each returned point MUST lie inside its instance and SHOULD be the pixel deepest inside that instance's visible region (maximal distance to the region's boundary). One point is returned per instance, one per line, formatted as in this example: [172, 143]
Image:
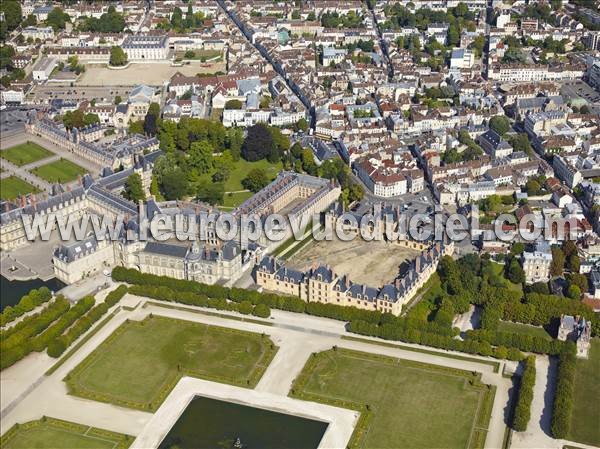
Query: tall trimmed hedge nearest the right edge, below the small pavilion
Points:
[562, 407]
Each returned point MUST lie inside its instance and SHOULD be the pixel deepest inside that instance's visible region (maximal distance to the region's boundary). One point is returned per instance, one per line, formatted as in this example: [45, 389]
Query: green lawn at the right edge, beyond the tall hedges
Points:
[585, 420]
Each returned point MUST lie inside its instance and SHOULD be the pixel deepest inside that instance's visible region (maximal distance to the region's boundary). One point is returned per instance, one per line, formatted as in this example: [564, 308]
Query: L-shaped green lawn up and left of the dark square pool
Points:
[140, 363]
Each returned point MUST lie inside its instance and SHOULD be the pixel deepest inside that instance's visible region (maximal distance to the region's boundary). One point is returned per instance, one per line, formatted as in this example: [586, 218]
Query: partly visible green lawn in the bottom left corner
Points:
[50, 433]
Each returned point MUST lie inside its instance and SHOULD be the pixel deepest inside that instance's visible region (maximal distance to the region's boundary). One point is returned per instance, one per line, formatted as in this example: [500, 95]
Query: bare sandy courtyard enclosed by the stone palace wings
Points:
[373, 263]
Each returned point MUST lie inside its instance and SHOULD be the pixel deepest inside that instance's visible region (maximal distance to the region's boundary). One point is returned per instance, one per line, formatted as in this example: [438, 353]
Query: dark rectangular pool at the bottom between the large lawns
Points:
[213, 424]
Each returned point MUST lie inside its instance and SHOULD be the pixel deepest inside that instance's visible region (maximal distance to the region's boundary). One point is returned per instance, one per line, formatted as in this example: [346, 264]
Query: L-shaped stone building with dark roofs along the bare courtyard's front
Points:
[322, 284]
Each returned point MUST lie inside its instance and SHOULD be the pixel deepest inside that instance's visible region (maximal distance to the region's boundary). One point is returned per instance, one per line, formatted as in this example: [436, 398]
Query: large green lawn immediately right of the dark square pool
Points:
[403, 404]
